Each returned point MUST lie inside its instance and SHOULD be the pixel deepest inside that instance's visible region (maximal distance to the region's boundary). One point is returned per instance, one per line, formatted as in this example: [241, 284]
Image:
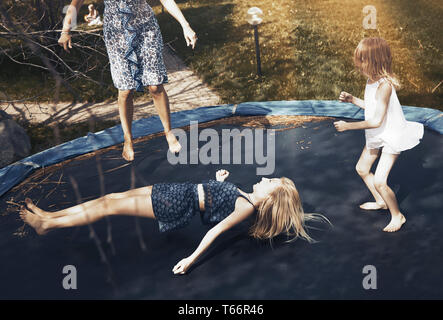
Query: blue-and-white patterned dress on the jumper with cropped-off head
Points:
[134, 44]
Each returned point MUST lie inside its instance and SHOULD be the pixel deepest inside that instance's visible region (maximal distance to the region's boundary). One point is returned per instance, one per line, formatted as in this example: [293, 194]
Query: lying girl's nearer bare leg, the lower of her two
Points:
[91, 211]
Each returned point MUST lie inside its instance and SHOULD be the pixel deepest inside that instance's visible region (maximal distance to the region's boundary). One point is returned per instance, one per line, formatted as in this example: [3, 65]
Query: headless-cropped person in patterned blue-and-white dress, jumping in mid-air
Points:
[134, 45]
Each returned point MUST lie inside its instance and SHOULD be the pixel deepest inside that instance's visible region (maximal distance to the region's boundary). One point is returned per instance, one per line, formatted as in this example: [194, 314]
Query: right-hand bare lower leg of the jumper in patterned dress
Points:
[161, 103]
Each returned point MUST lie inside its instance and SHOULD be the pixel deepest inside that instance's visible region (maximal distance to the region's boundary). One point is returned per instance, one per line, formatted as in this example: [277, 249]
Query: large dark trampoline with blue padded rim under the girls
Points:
[127, 258]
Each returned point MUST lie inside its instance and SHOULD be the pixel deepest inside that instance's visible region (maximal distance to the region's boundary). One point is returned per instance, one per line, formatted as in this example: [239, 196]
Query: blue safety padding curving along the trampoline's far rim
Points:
[17, 172]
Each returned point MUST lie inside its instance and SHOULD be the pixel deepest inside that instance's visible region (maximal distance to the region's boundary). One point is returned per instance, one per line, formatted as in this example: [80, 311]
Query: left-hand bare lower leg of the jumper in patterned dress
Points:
[126, 111]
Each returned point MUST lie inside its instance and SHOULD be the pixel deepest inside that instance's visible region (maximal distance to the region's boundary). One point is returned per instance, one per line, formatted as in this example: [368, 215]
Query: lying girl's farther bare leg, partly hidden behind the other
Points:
[144, 191]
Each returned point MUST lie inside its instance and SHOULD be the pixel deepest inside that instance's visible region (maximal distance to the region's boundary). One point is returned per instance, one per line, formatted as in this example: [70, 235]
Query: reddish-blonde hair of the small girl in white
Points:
[373, 57]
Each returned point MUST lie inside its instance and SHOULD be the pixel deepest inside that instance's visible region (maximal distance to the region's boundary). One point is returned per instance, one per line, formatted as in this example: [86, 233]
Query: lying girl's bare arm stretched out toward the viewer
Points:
[243, 209]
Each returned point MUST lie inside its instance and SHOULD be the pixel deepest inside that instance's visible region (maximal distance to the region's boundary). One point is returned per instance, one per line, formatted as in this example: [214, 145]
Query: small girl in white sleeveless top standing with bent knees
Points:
[385, 126]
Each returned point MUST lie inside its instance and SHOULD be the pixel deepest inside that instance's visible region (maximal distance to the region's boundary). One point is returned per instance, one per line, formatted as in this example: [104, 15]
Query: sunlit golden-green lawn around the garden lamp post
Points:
[307, 47]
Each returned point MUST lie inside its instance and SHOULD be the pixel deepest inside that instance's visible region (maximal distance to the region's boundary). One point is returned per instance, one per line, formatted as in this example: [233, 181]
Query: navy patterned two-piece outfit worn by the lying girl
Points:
[175, 204]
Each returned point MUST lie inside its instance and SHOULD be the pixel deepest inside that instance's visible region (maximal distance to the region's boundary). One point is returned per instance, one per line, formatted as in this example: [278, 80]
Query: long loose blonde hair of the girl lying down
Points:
[282, 212]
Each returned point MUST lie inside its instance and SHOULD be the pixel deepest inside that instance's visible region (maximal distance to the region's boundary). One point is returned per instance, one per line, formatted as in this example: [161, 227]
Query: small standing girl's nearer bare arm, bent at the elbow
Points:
[382, 97]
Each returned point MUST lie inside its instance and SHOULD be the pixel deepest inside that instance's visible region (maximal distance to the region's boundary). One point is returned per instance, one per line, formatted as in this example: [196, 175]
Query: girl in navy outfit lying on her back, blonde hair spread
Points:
[276, 202]
